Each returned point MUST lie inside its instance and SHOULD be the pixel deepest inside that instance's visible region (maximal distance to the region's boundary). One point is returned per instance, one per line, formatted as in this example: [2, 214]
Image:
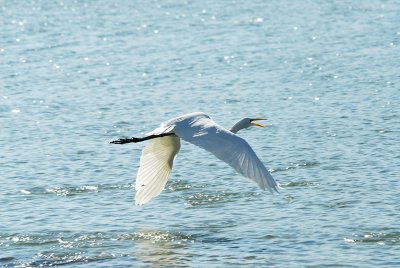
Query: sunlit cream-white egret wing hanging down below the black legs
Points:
[155, 166]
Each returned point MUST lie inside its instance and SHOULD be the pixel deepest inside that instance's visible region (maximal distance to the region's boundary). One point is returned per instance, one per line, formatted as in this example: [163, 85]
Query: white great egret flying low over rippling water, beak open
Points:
[197, 128]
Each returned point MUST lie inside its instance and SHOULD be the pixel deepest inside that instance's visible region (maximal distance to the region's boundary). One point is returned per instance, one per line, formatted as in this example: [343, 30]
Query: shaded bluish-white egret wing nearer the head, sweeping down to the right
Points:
[227, 146]
